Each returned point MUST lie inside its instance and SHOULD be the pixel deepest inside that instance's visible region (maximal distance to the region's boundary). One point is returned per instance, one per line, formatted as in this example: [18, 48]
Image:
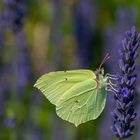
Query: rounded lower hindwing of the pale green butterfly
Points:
[82, 103]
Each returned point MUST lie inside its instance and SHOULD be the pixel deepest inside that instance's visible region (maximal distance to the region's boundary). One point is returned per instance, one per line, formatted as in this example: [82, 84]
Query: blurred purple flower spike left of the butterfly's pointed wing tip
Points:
[23, 64]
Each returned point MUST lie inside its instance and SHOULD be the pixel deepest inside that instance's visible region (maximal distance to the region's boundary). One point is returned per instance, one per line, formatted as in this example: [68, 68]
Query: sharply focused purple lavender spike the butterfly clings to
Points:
[124, 113]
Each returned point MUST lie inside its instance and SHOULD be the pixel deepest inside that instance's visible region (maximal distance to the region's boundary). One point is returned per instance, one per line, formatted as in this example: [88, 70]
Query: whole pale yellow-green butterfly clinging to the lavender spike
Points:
[79, 95]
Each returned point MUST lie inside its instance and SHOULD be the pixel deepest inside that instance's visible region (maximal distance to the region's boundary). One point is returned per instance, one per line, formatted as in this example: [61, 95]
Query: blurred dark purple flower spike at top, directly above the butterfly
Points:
[83, 14]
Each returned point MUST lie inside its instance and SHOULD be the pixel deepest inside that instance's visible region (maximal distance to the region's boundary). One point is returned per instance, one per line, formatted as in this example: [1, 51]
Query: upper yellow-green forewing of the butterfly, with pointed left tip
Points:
[55, 84]
